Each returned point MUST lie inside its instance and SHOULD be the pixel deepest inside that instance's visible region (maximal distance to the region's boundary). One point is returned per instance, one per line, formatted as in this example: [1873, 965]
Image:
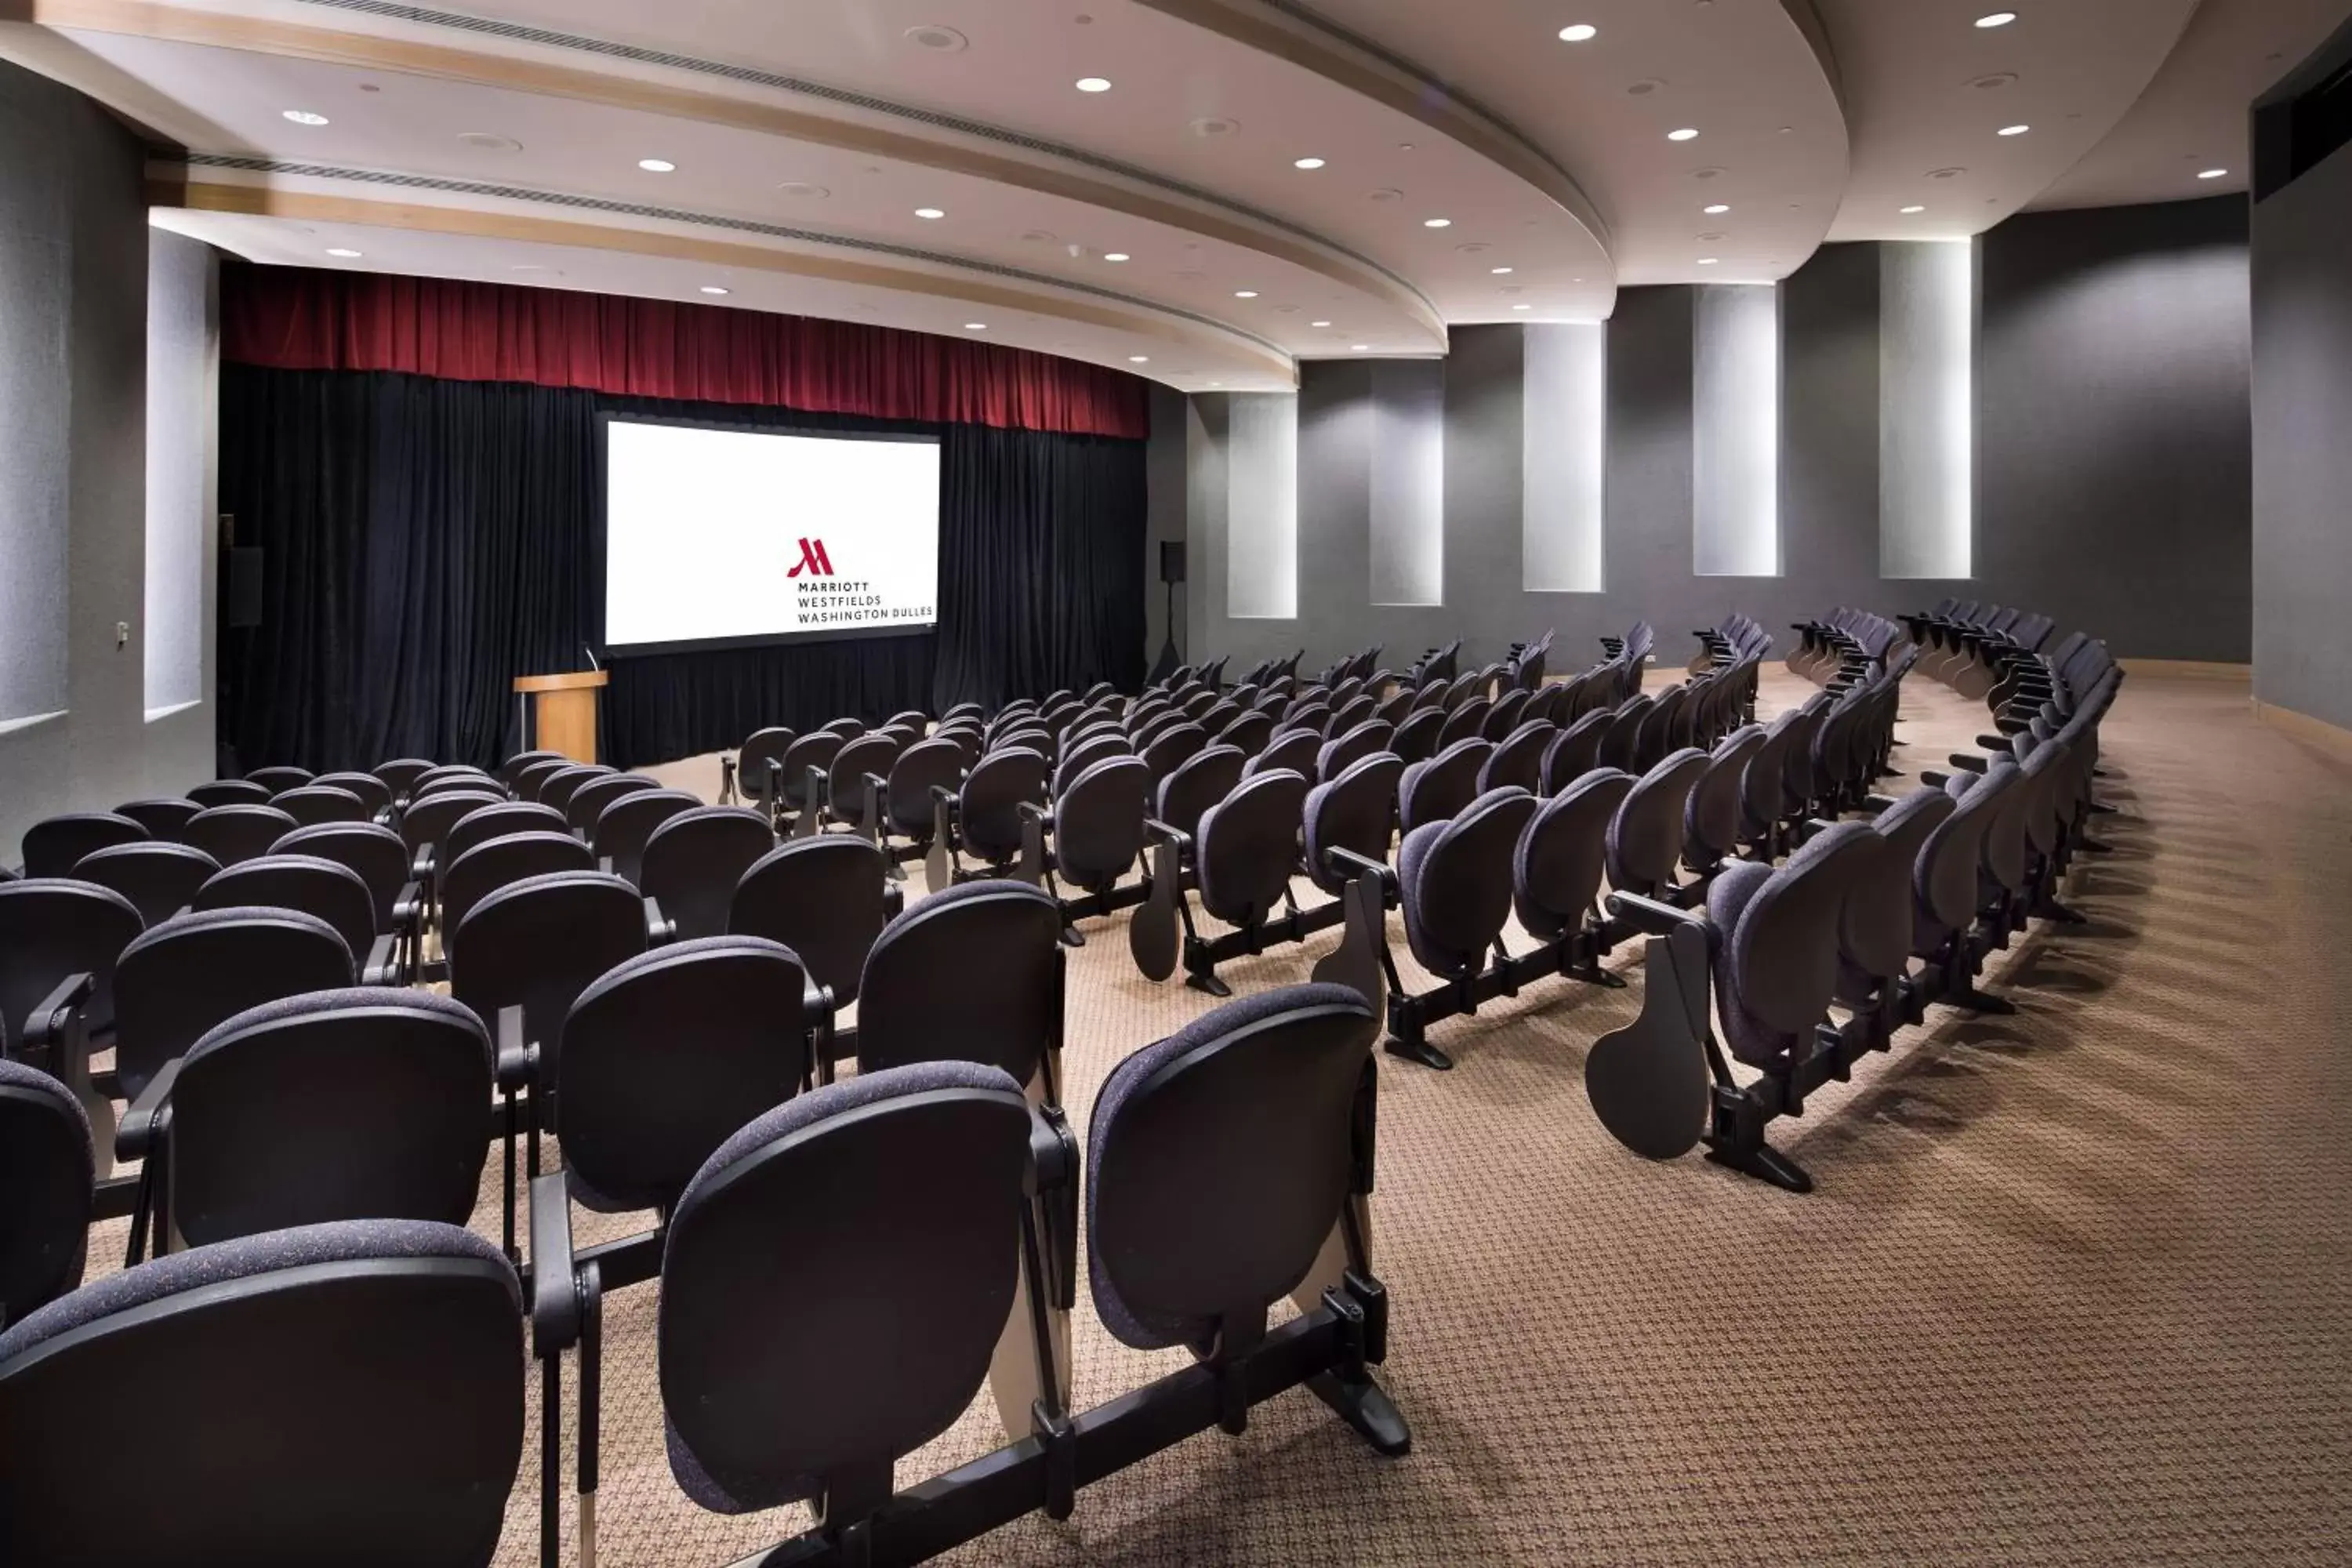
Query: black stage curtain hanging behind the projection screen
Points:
[425, 542]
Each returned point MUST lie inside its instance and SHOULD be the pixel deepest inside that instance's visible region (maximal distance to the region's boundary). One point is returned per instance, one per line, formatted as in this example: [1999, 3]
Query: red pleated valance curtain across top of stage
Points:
[300, 319]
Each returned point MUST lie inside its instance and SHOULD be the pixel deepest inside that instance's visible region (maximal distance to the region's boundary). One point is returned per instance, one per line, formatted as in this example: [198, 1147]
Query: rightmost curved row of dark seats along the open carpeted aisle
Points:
[1819, 960]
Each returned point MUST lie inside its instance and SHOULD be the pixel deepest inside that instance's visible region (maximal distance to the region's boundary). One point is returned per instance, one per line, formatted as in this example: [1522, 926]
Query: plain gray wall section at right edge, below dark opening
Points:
[2304, 443]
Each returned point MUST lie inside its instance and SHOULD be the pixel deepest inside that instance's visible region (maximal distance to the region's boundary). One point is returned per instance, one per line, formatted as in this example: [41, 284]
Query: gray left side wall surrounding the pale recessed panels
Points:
[74, 309]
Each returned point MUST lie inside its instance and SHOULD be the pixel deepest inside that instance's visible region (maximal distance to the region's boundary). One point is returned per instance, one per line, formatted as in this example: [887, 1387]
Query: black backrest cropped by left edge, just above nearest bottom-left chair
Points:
[48, 1181]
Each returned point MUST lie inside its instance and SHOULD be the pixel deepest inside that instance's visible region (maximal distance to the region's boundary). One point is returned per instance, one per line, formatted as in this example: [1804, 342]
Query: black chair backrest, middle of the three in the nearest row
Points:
[768, 1383]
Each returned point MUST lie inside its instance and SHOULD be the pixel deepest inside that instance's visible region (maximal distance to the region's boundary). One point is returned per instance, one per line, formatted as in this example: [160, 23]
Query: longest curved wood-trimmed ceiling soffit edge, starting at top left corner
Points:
[1111, 185]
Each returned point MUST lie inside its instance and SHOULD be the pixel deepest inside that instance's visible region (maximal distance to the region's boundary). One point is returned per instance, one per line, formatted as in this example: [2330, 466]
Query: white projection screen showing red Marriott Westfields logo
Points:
[740, 537]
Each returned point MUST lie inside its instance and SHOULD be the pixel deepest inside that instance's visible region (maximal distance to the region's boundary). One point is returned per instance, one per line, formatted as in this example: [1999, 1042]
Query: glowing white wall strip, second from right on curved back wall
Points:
[1737, 431]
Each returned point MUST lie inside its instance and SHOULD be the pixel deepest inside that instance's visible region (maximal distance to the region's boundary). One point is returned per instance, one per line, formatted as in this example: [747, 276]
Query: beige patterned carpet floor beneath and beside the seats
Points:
[2076, 1285]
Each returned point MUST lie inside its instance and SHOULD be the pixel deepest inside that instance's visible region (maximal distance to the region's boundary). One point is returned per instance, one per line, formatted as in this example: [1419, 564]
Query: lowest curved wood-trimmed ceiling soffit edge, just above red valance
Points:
[1111, 311]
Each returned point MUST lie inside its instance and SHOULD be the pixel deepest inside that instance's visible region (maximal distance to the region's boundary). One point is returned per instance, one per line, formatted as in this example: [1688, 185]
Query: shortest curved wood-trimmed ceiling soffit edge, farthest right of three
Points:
[1321, 46]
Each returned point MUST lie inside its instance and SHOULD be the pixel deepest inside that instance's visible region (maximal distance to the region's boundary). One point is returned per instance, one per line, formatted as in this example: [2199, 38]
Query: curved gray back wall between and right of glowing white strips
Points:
[2113, 460]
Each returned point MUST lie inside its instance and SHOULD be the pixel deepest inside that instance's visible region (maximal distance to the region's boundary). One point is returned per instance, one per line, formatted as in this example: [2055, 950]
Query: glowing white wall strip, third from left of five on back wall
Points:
[1565, 434]
